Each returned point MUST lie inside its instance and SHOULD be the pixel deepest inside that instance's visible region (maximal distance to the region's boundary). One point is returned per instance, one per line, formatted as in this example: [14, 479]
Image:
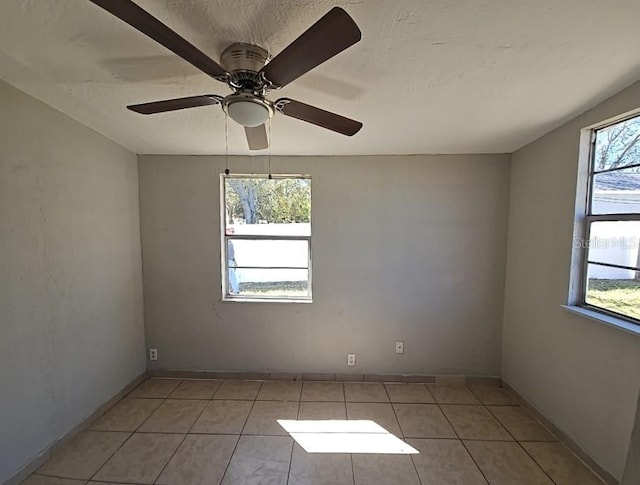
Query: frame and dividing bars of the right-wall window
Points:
[590, 218]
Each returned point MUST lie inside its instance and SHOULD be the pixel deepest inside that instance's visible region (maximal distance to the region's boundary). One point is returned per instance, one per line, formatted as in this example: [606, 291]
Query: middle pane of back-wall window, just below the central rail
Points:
[269, 253]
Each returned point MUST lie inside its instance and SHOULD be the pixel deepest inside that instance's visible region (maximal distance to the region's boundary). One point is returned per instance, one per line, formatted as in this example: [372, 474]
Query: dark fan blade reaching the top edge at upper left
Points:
[143, 21]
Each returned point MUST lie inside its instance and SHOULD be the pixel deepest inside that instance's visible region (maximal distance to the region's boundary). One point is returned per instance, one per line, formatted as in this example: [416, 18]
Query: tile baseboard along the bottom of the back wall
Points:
[323, 376]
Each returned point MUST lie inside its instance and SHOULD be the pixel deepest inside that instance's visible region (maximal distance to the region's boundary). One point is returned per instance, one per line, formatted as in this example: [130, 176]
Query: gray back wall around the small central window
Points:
[404, 248]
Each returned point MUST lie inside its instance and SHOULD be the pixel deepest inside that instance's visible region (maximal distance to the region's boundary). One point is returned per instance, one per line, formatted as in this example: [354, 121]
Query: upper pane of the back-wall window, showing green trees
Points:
[268, 207]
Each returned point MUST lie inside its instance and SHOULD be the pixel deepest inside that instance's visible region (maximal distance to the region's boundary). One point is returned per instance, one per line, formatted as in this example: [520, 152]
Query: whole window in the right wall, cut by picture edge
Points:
[611, 265]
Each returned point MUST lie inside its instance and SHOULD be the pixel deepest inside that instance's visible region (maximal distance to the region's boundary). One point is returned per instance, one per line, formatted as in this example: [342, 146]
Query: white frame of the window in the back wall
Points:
[228, 297]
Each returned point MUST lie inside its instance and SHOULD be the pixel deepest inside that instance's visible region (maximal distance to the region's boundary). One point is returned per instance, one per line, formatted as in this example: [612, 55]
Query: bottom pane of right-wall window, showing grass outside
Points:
[614, 289]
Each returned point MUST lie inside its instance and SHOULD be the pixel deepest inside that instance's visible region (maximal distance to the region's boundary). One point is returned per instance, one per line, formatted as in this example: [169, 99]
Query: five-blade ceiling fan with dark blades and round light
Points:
[250, 72]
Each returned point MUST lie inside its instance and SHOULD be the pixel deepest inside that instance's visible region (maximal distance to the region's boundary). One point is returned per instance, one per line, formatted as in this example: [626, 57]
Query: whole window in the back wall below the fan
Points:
[266, 238]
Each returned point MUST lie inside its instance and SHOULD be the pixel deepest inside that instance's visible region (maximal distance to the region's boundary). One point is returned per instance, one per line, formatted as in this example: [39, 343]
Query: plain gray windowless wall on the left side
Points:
[71, 328]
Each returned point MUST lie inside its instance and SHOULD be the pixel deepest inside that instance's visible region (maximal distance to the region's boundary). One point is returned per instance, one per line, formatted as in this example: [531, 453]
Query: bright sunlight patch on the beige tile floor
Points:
[344, 436]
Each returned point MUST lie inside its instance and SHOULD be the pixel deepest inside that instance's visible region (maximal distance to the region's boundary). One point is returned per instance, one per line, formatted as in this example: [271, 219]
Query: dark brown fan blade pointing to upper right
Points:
[329, 36]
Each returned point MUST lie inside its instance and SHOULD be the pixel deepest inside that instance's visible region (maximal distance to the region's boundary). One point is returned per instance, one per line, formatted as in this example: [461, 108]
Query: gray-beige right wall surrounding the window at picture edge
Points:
[580, 374]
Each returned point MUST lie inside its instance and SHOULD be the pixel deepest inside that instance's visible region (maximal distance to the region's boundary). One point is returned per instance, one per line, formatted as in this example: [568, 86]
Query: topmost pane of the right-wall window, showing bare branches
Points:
[617, 145]
